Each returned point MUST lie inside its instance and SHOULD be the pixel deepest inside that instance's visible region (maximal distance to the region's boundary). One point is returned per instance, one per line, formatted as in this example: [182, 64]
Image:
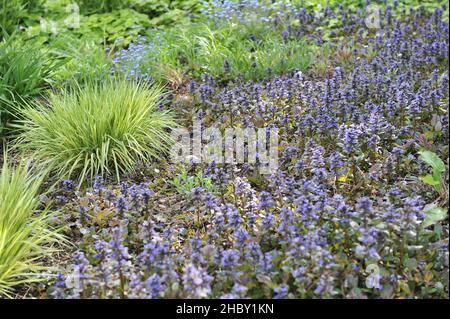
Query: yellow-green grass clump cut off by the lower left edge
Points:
[26, 239]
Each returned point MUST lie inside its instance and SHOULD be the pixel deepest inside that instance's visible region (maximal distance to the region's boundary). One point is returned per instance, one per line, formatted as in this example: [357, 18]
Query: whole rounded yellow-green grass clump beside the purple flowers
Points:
[100, 129]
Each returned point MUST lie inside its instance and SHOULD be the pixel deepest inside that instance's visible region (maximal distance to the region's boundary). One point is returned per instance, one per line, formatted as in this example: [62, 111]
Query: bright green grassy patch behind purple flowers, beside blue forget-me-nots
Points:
[198, 49]
